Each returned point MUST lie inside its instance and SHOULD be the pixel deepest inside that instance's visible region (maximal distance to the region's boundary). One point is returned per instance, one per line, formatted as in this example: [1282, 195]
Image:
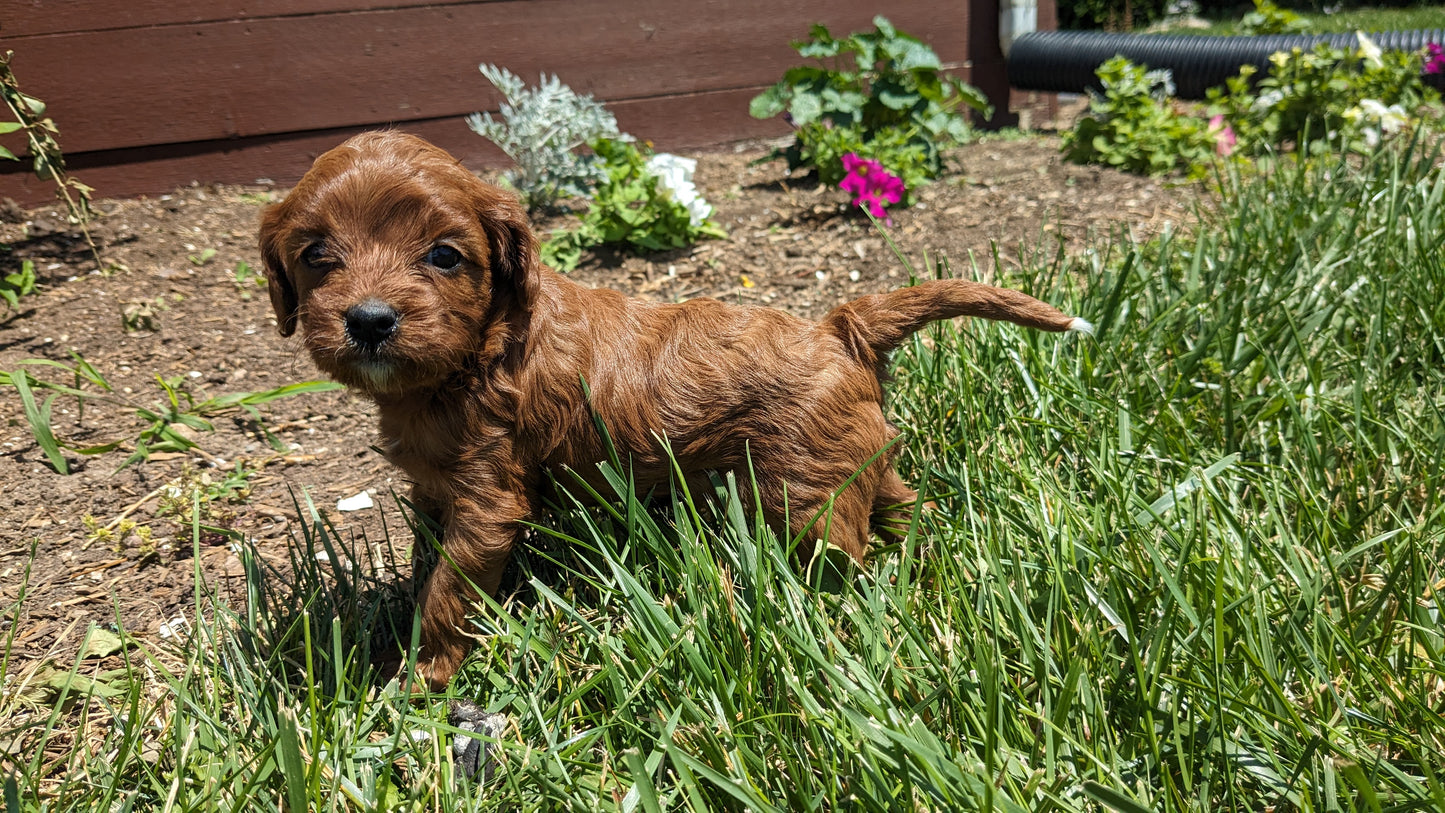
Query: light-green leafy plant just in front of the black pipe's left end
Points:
[1134, 125]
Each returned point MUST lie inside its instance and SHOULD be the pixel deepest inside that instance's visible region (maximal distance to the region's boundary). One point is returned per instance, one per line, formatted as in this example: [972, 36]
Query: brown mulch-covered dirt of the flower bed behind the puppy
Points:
[177, 310]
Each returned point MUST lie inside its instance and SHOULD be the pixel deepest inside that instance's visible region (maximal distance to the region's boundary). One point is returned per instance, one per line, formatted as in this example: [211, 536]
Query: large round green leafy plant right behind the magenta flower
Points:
[879, 95]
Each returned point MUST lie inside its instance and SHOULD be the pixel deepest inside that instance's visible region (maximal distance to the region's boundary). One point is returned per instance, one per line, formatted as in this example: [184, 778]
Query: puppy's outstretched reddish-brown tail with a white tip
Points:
[878, 324]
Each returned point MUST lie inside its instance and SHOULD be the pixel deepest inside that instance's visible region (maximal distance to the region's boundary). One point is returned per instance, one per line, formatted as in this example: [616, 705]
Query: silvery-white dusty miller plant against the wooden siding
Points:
[540, 129]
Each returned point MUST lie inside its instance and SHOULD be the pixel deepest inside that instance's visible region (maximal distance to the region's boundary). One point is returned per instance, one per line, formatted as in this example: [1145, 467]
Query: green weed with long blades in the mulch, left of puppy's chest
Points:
[167, 427]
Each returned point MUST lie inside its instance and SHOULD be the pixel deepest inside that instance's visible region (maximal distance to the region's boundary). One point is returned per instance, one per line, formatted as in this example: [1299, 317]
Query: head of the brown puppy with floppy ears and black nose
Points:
[398, 265]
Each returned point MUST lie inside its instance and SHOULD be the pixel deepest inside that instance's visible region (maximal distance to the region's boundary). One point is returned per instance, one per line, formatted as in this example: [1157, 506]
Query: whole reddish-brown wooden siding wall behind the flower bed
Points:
[151, 95]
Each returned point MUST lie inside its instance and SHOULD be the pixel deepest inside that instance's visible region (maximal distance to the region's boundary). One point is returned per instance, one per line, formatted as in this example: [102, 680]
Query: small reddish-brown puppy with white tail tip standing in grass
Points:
[420, 285]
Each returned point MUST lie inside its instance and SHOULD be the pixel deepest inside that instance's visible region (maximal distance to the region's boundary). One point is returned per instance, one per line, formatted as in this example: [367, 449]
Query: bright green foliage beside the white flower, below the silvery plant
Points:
[631, 209]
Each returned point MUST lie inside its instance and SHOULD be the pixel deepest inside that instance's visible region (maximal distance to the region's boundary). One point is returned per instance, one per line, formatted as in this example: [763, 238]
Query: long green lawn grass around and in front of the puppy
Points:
[1189, 565]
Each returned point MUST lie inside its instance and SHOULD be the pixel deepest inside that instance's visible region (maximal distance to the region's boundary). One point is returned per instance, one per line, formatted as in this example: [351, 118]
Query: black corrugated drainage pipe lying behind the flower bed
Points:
[1066, 61]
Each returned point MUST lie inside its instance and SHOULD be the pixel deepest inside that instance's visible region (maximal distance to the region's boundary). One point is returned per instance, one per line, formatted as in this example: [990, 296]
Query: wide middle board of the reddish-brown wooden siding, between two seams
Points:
[261, 77]
